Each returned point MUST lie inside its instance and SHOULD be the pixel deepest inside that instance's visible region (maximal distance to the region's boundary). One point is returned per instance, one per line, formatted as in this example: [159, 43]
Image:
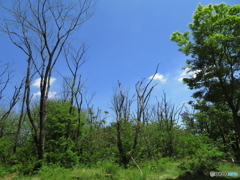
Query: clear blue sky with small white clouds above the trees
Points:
[126, 39]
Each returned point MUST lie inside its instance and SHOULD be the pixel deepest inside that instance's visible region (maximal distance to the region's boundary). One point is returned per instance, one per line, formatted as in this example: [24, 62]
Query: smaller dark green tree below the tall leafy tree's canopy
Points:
[215, 121]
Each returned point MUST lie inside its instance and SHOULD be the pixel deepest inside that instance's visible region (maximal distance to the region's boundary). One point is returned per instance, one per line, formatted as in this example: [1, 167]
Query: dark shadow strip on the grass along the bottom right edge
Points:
[202, 177]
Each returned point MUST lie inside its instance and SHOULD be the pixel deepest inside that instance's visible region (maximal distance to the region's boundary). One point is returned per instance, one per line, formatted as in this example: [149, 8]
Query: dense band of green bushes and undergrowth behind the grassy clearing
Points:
[98, 143]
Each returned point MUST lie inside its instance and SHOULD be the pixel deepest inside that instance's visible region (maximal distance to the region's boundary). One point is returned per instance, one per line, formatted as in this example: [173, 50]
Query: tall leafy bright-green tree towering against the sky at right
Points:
[214, 43]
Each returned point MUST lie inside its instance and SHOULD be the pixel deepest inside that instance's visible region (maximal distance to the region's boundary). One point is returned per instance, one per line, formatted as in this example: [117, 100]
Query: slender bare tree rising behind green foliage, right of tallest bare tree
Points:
[73, 85]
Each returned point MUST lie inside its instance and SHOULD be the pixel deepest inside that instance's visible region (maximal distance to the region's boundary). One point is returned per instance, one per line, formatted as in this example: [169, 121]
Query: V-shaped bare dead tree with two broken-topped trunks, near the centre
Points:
[122, 106]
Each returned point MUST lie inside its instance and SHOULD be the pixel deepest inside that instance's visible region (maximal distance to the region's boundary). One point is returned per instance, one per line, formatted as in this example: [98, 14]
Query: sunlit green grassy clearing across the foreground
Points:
[108, 171]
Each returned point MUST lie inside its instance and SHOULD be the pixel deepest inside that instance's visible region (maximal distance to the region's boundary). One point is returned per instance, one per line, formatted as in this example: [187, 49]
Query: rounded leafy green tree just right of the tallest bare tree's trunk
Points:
[60, 149]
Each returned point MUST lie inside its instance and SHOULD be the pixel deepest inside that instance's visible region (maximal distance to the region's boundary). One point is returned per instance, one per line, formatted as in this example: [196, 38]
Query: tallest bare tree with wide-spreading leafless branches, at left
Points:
[41, 28]
